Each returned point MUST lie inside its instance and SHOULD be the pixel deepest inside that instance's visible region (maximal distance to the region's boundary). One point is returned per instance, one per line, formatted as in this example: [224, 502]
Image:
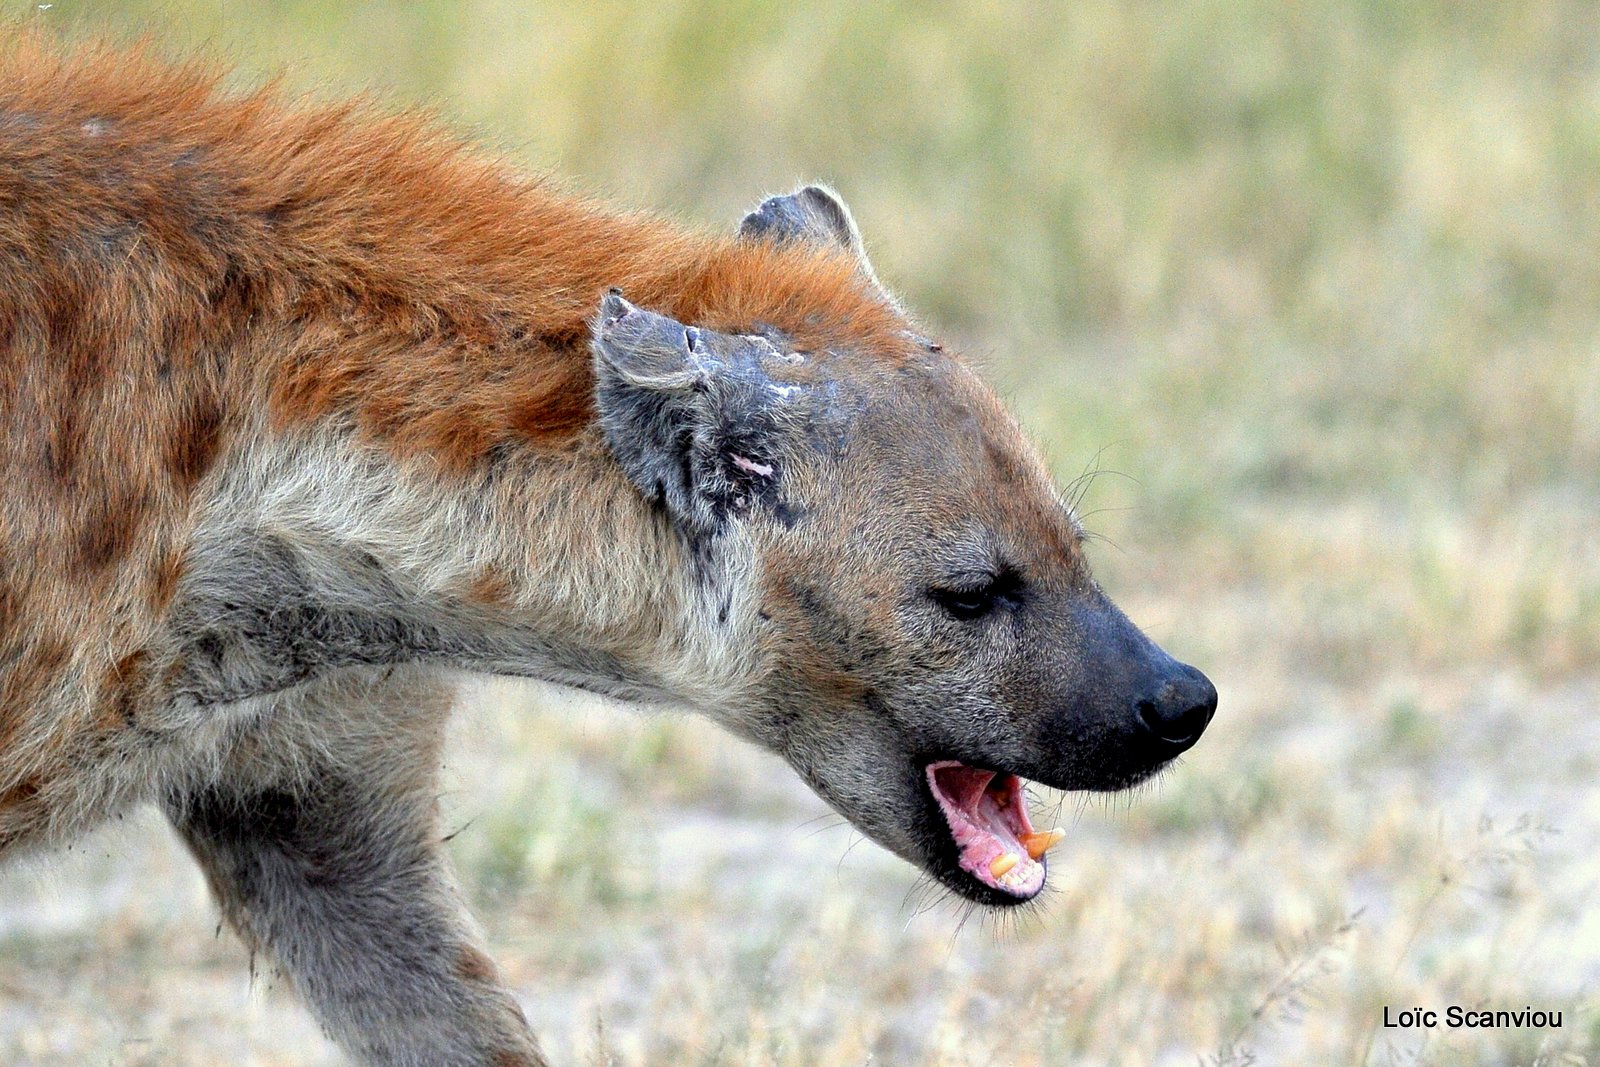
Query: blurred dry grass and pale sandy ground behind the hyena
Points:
[1314, 287]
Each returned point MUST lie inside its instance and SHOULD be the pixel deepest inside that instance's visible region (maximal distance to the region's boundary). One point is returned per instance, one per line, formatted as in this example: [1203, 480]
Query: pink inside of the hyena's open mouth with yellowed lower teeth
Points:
[988, 818]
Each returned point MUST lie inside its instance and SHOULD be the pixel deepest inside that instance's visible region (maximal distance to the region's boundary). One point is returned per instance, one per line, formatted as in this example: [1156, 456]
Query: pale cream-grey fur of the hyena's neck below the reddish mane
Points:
[321, 551]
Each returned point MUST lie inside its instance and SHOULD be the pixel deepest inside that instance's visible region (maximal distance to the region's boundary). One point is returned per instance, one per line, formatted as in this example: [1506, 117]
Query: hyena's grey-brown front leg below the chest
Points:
[335, 869]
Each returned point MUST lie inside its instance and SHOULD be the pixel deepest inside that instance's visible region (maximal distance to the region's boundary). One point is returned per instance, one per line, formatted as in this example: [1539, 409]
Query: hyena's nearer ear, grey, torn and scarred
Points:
[692, 415]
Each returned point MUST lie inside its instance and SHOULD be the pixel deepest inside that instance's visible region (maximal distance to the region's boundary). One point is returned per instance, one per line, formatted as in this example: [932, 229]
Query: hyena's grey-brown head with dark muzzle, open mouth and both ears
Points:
[927, 628]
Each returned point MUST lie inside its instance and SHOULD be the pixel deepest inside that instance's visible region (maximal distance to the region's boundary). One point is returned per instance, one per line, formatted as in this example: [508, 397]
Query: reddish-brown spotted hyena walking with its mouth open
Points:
[308, 412]
